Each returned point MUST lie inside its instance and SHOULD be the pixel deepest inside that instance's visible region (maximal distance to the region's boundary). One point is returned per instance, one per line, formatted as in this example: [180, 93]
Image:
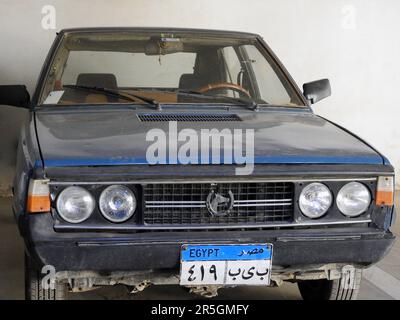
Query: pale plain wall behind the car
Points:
[355, 43]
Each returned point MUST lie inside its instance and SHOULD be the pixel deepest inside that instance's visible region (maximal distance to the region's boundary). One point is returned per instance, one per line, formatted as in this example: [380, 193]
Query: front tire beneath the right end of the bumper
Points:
[331, 289]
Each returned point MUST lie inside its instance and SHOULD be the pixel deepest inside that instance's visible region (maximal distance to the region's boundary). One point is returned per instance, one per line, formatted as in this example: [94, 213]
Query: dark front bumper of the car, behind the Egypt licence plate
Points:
[108, 252]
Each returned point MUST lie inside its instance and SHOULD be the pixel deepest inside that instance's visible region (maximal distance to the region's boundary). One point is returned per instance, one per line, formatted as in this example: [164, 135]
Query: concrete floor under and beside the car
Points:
[381, 282]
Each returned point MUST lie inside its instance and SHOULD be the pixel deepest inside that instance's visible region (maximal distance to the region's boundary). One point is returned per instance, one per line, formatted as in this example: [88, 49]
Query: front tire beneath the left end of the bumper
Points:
[33, 285]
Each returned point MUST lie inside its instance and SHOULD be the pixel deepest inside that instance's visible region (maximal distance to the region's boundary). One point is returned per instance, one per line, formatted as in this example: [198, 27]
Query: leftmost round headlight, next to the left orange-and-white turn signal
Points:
[75, 204]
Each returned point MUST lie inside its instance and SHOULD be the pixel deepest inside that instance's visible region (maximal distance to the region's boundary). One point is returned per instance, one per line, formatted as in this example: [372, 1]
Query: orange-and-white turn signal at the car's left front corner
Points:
[38, 196]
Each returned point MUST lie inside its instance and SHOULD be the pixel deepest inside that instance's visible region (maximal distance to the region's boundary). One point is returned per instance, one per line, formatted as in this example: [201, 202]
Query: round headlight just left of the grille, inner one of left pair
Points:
[117, 203]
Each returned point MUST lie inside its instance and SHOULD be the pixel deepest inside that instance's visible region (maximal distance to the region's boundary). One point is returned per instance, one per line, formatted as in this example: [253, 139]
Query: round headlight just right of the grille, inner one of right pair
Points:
[315, 200]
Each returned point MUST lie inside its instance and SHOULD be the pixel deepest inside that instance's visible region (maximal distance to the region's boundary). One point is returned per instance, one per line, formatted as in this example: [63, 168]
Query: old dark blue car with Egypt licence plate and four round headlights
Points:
[179, 156]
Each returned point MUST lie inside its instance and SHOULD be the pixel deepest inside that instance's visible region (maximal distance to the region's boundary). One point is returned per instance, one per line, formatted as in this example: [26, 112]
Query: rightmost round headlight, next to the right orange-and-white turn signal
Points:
[353, 199]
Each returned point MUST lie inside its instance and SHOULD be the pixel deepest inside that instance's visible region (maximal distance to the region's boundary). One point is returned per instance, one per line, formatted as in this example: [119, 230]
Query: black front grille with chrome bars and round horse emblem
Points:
[186, 204]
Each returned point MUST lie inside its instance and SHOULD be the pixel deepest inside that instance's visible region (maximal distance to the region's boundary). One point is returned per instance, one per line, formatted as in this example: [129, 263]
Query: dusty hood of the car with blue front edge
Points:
[118, 137]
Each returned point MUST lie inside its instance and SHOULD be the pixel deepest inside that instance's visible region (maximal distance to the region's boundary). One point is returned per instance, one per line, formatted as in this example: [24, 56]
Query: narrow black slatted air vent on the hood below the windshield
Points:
[188, 117]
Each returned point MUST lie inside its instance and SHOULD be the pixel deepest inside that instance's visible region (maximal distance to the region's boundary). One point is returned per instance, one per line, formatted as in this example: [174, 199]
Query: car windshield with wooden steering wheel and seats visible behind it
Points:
[177, 68]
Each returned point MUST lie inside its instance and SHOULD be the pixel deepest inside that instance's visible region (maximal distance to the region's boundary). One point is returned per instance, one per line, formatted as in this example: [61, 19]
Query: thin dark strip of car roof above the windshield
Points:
[161, 30]
